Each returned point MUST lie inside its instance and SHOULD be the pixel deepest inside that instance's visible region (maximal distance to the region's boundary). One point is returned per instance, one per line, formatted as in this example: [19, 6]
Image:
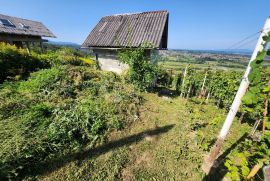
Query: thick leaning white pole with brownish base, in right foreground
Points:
[210, 159]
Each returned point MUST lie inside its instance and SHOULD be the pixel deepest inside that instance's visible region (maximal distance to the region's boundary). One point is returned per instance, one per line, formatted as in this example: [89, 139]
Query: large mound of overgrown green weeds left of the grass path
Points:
[56, 111]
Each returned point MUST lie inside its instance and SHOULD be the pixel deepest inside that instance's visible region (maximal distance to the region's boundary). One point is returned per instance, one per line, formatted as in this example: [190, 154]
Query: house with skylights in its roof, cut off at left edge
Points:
[21, 32]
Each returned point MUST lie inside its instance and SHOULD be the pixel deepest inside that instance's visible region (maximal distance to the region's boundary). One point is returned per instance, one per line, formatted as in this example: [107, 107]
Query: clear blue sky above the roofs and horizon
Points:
[193, 24]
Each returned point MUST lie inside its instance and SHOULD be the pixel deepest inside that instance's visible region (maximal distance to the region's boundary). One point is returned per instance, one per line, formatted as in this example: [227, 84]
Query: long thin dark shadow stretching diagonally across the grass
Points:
[50, 166]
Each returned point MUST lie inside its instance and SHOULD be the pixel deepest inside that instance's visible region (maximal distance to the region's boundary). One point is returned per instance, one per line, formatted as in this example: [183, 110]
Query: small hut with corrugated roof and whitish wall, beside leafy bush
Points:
[127, 30]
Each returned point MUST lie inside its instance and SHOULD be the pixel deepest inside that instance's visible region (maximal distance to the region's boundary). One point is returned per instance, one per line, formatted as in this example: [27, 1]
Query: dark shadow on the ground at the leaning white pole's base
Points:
[218, 171]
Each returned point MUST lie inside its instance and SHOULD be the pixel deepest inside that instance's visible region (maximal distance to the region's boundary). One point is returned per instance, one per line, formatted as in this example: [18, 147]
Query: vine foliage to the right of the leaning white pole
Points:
[254, 153]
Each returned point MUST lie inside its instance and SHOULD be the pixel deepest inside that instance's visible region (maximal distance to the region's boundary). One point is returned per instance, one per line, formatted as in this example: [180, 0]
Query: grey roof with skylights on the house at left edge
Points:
[32, 28]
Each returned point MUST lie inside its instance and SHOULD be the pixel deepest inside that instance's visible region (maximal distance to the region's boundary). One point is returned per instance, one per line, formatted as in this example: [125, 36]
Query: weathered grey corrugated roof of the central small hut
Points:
[130, 30]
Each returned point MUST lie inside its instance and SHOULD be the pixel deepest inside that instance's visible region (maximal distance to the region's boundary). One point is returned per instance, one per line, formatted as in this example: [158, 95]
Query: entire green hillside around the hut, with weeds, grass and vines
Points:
[62, 118]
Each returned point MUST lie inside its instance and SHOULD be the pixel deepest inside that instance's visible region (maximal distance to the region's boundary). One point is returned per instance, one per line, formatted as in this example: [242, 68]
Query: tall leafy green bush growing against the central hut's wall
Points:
[142, 71]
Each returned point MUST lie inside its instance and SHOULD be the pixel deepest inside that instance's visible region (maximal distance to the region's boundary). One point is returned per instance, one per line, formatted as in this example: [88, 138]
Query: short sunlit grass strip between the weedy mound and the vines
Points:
[168, 142]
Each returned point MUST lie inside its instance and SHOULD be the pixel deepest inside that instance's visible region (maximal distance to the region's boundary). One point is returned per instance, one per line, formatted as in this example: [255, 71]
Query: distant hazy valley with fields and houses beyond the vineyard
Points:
[176, 60]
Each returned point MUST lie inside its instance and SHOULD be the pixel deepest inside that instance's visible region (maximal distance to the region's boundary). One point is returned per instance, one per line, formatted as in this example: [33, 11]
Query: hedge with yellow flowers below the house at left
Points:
[17, 63]
